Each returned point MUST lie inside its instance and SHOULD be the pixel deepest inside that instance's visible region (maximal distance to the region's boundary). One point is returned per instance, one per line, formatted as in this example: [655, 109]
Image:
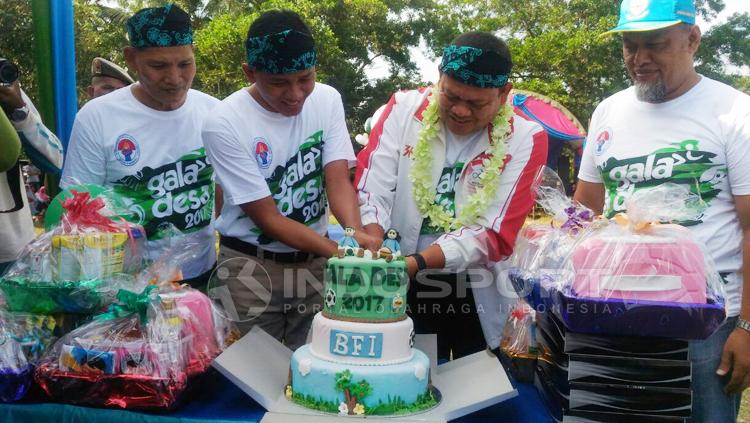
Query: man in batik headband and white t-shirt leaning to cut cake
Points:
[281, 151]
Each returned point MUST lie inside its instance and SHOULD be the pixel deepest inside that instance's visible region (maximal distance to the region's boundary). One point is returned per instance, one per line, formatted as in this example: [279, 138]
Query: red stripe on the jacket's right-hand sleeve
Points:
[501, 243]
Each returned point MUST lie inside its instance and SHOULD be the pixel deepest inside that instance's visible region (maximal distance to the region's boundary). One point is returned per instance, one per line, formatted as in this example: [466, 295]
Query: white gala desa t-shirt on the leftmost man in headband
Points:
[155, 160]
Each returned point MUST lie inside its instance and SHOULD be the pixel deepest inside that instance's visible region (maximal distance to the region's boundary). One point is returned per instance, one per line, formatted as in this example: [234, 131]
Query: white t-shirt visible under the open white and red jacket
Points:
[458, 151]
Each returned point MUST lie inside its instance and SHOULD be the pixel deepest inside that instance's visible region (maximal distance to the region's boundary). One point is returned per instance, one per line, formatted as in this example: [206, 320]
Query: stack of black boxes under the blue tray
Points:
[595, 378]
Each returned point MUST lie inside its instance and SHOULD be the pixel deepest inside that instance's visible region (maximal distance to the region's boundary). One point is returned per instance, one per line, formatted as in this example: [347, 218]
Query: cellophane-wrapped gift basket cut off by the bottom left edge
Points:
[23, 339]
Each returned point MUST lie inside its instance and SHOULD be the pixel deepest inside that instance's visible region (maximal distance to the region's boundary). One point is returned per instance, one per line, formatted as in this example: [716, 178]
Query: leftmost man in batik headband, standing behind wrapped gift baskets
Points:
[144, 141]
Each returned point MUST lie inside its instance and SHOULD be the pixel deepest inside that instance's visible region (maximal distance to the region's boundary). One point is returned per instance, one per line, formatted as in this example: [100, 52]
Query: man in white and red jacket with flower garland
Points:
[450, 167]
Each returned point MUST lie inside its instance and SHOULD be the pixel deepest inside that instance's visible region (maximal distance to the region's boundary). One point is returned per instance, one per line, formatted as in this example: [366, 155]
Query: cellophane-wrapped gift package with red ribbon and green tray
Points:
[79, 266]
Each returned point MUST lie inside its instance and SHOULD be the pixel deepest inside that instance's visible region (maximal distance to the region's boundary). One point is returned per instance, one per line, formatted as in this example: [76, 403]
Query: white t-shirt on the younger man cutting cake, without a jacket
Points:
[258, 153]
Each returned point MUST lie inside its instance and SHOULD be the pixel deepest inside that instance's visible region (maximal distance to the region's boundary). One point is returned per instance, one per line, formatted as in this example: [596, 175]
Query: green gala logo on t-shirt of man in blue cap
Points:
[681, 163]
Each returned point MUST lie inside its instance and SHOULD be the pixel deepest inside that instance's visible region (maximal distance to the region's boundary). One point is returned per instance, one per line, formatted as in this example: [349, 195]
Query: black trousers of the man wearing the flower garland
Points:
[444, 304]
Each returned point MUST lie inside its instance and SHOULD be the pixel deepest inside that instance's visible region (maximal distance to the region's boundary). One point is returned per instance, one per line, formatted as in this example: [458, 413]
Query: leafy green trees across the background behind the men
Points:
[556, 43]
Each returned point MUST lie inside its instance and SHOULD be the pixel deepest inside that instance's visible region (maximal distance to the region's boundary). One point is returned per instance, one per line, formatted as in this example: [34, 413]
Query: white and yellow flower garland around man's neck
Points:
[421, 171]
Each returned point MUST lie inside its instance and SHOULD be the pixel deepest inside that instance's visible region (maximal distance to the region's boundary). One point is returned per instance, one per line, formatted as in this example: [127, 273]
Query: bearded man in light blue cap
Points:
[675, 125]
